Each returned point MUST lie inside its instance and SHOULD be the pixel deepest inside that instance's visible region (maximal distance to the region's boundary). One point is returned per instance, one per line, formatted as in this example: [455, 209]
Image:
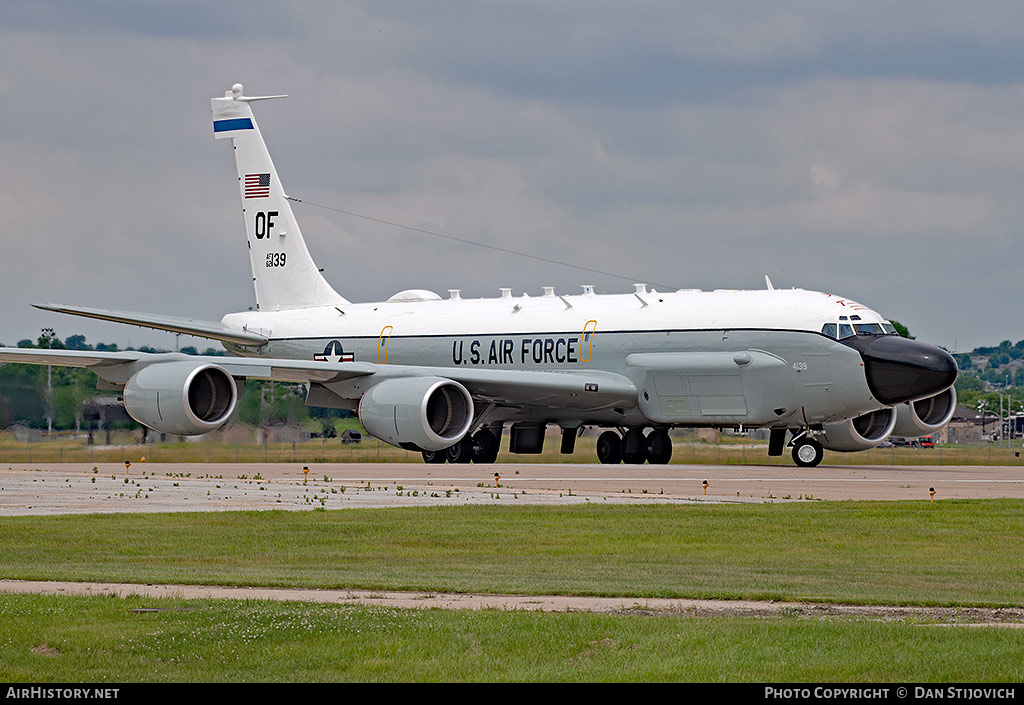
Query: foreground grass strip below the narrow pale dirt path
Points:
[62, 639]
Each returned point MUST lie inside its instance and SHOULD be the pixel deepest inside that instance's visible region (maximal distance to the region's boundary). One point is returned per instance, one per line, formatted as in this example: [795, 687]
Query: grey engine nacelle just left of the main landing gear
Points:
[418, 413]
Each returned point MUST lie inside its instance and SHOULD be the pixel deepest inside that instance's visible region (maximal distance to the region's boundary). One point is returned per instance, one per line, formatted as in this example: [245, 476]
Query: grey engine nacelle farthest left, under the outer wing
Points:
[182, 398]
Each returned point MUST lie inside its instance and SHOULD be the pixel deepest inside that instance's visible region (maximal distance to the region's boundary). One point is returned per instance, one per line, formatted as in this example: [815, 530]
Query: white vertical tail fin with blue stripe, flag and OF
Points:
[284, 274]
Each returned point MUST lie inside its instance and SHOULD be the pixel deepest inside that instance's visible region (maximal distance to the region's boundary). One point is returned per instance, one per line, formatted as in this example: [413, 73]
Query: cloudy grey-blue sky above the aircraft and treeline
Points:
[870, 149]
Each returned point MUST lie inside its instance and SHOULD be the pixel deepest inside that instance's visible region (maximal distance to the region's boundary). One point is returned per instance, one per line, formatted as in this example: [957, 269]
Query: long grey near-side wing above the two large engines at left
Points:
[584, 391]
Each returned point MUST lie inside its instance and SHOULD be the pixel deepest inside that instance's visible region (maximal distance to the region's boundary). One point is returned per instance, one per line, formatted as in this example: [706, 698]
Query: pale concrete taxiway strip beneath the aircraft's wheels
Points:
[83, 488]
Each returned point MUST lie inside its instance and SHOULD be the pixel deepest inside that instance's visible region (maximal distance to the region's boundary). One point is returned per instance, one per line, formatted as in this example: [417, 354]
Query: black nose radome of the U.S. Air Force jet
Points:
[903, 370]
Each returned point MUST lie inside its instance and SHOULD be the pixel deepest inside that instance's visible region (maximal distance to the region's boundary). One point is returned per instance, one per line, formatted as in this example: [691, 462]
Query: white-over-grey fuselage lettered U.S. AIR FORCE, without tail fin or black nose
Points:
[822, 381]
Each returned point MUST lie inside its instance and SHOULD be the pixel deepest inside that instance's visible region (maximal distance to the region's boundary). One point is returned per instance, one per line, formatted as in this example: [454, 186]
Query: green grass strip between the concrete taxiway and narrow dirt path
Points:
[955, 553]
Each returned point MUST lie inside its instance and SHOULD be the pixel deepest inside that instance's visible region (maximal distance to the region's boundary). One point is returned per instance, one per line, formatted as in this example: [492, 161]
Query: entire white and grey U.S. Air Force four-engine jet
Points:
[446, 378]
